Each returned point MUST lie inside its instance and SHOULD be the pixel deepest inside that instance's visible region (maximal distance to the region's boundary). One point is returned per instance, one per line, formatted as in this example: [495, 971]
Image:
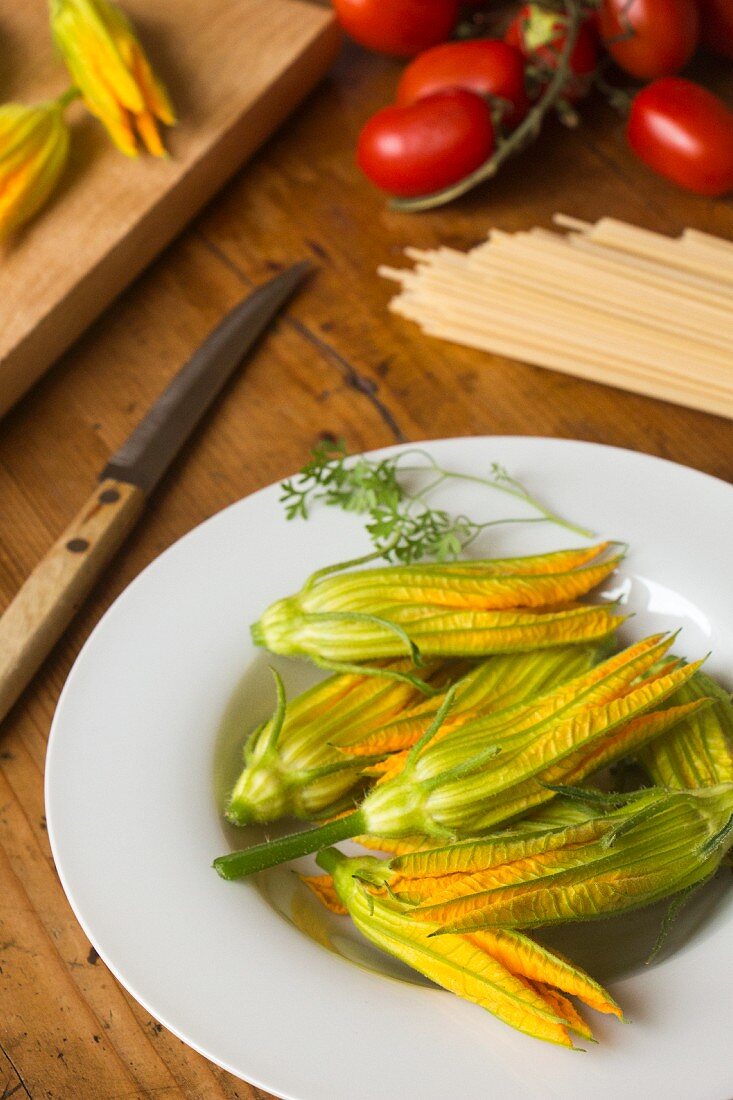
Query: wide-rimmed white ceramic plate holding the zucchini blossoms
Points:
[253, 975]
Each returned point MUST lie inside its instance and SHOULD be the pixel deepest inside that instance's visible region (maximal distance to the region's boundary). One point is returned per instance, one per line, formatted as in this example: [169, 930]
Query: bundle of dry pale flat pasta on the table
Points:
[608, 302]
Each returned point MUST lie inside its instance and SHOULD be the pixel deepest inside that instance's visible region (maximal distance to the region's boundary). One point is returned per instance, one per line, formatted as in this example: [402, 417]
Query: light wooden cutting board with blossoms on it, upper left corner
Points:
[235, 70]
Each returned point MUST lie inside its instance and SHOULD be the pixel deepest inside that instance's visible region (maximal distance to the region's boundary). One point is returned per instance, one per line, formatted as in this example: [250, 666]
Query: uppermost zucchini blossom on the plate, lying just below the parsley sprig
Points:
[466, 609]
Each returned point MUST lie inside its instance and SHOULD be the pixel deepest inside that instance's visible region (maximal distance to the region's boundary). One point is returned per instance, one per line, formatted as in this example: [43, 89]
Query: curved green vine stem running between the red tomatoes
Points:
[526, 134]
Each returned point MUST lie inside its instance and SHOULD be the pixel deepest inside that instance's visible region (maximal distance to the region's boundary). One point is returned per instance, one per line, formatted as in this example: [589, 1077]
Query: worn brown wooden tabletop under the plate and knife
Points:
[337, 365]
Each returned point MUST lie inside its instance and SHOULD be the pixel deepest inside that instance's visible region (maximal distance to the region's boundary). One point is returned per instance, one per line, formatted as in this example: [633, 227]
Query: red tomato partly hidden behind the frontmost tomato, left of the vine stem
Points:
[487, 67]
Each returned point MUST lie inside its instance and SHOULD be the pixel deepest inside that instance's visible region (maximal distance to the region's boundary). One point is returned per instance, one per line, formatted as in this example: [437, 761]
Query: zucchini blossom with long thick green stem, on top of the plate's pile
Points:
[504, 765]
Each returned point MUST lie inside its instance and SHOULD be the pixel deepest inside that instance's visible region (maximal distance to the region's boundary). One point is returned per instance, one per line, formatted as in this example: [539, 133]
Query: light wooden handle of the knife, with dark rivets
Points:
[54, 591]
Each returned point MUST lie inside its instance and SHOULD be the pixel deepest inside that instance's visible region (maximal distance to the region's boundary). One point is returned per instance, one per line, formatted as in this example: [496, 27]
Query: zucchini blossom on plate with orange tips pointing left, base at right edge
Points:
[651, 845]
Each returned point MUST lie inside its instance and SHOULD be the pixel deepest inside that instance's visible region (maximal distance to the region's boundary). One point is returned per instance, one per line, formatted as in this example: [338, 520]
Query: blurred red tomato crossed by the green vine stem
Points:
[541, 36]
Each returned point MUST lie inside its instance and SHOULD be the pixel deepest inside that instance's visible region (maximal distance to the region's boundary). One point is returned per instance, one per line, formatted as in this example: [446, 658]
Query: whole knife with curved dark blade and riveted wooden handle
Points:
[53, 593]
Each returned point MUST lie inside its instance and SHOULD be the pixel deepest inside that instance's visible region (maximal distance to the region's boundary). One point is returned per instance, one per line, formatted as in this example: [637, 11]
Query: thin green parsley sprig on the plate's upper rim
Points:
[402, 525]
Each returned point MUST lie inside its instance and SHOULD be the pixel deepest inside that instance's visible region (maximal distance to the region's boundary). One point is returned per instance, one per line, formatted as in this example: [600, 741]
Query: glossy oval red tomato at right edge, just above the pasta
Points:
[685, 134]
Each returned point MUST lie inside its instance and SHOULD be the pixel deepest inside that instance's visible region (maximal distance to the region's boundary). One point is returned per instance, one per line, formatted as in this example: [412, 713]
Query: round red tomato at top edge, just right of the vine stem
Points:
[650, 38]
